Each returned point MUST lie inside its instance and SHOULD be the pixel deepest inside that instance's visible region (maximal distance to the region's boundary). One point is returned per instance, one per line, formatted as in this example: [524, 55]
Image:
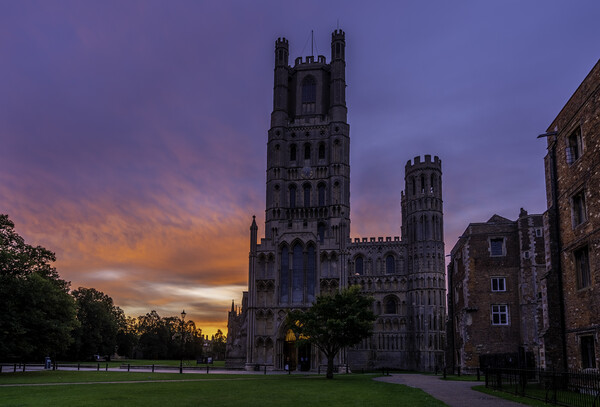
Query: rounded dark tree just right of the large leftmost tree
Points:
[99, 321]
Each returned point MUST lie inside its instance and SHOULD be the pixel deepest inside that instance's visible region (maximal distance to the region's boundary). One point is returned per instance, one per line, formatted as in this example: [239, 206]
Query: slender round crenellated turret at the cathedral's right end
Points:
[422, 229]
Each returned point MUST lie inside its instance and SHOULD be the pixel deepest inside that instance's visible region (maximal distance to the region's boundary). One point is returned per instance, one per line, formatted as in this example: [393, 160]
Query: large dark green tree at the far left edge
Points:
[37, 313]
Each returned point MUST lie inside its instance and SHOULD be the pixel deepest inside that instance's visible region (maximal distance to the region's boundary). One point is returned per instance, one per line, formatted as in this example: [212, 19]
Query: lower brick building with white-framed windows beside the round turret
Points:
[494, 309]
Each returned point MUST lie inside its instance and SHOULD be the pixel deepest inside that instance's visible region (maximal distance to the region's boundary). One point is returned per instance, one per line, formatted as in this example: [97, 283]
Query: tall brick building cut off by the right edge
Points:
[573, 227]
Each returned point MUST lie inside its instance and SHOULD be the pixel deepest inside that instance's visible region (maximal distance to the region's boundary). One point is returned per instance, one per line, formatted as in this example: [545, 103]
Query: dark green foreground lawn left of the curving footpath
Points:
[221, 390]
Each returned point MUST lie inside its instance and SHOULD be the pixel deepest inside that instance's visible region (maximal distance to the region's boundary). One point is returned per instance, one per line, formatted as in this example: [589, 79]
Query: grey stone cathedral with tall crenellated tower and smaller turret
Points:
[307, 250]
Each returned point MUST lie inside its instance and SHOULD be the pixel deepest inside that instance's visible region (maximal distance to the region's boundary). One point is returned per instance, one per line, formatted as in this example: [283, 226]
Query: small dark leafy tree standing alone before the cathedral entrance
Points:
[334, 322]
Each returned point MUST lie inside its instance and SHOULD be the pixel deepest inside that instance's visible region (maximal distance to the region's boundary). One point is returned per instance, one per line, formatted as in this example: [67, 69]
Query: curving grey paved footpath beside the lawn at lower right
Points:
[453, 393]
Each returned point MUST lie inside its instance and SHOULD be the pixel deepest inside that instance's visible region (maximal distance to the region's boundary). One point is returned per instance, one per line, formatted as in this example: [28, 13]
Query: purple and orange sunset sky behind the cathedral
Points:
[133, 134]
